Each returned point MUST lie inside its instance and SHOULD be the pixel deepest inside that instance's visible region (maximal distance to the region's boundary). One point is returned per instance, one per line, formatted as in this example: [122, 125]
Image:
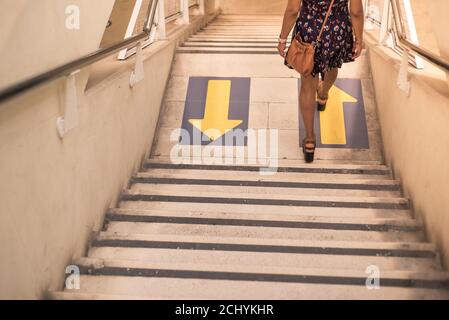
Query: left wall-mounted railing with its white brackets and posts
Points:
[153, 29]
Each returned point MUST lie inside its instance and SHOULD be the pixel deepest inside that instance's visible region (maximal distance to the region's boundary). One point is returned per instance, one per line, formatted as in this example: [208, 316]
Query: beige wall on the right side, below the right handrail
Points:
[415, 134]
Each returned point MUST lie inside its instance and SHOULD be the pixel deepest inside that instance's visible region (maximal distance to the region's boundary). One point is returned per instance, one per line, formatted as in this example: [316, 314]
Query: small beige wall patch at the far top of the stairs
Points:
[269, 7]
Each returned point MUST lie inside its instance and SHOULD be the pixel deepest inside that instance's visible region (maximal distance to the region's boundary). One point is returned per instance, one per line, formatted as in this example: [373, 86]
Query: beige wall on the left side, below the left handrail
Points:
[54, 192]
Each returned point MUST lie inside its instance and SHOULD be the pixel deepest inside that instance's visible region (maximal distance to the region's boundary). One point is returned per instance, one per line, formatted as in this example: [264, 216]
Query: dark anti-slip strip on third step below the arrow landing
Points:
[269, 202]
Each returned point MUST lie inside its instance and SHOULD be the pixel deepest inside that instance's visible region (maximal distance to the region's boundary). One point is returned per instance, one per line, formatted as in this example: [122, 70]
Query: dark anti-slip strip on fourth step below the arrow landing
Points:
[262, 223]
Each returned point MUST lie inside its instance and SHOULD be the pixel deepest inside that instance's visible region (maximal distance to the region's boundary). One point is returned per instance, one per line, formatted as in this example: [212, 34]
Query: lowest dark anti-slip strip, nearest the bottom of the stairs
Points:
[261, 277]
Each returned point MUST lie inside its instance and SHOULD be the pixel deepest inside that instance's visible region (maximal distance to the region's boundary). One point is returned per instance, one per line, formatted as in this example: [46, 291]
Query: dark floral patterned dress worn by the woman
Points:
[337, 41]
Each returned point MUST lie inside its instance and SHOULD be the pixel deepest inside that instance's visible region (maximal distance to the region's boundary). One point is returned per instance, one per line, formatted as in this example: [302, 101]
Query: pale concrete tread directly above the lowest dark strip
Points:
[180, 256]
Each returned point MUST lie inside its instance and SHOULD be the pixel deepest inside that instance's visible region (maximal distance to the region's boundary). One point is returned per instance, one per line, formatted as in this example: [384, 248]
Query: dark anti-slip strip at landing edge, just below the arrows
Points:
[385, 171]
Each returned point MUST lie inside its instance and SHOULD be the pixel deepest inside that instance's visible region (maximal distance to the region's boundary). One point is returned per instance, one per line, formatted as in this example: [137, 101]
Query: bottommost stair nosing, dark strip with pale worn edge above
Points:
[121, 268]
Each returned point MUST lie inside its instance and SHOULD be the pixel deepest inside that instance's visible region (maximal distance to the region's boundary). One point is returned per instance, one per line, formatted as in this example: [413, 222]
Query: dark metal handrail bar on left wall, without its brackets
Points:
[70, 67]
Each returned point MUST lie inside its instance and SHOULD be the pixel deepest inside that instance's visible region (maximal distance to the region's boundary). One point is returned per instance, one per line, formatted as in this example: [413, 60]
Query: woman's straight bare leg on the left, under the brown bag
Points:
[307, 100]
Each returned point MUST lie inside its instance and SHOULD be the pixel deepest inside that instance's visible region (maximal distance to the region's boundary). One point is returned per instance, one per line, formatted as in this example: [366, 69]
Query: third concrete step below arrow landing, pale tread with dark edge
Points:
[189, 196]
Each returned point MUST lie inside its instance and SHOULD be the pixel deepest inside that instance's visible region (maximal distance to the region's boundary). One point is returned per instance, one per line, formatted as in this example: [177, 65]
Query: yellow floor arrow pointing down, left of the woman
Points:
[216, 123]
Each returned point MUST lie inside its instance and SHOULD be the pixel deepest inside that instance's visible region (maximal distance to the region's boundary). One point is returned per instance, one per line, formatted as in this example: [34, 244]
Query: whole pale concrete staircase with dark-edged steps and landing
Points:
[196, 231]
